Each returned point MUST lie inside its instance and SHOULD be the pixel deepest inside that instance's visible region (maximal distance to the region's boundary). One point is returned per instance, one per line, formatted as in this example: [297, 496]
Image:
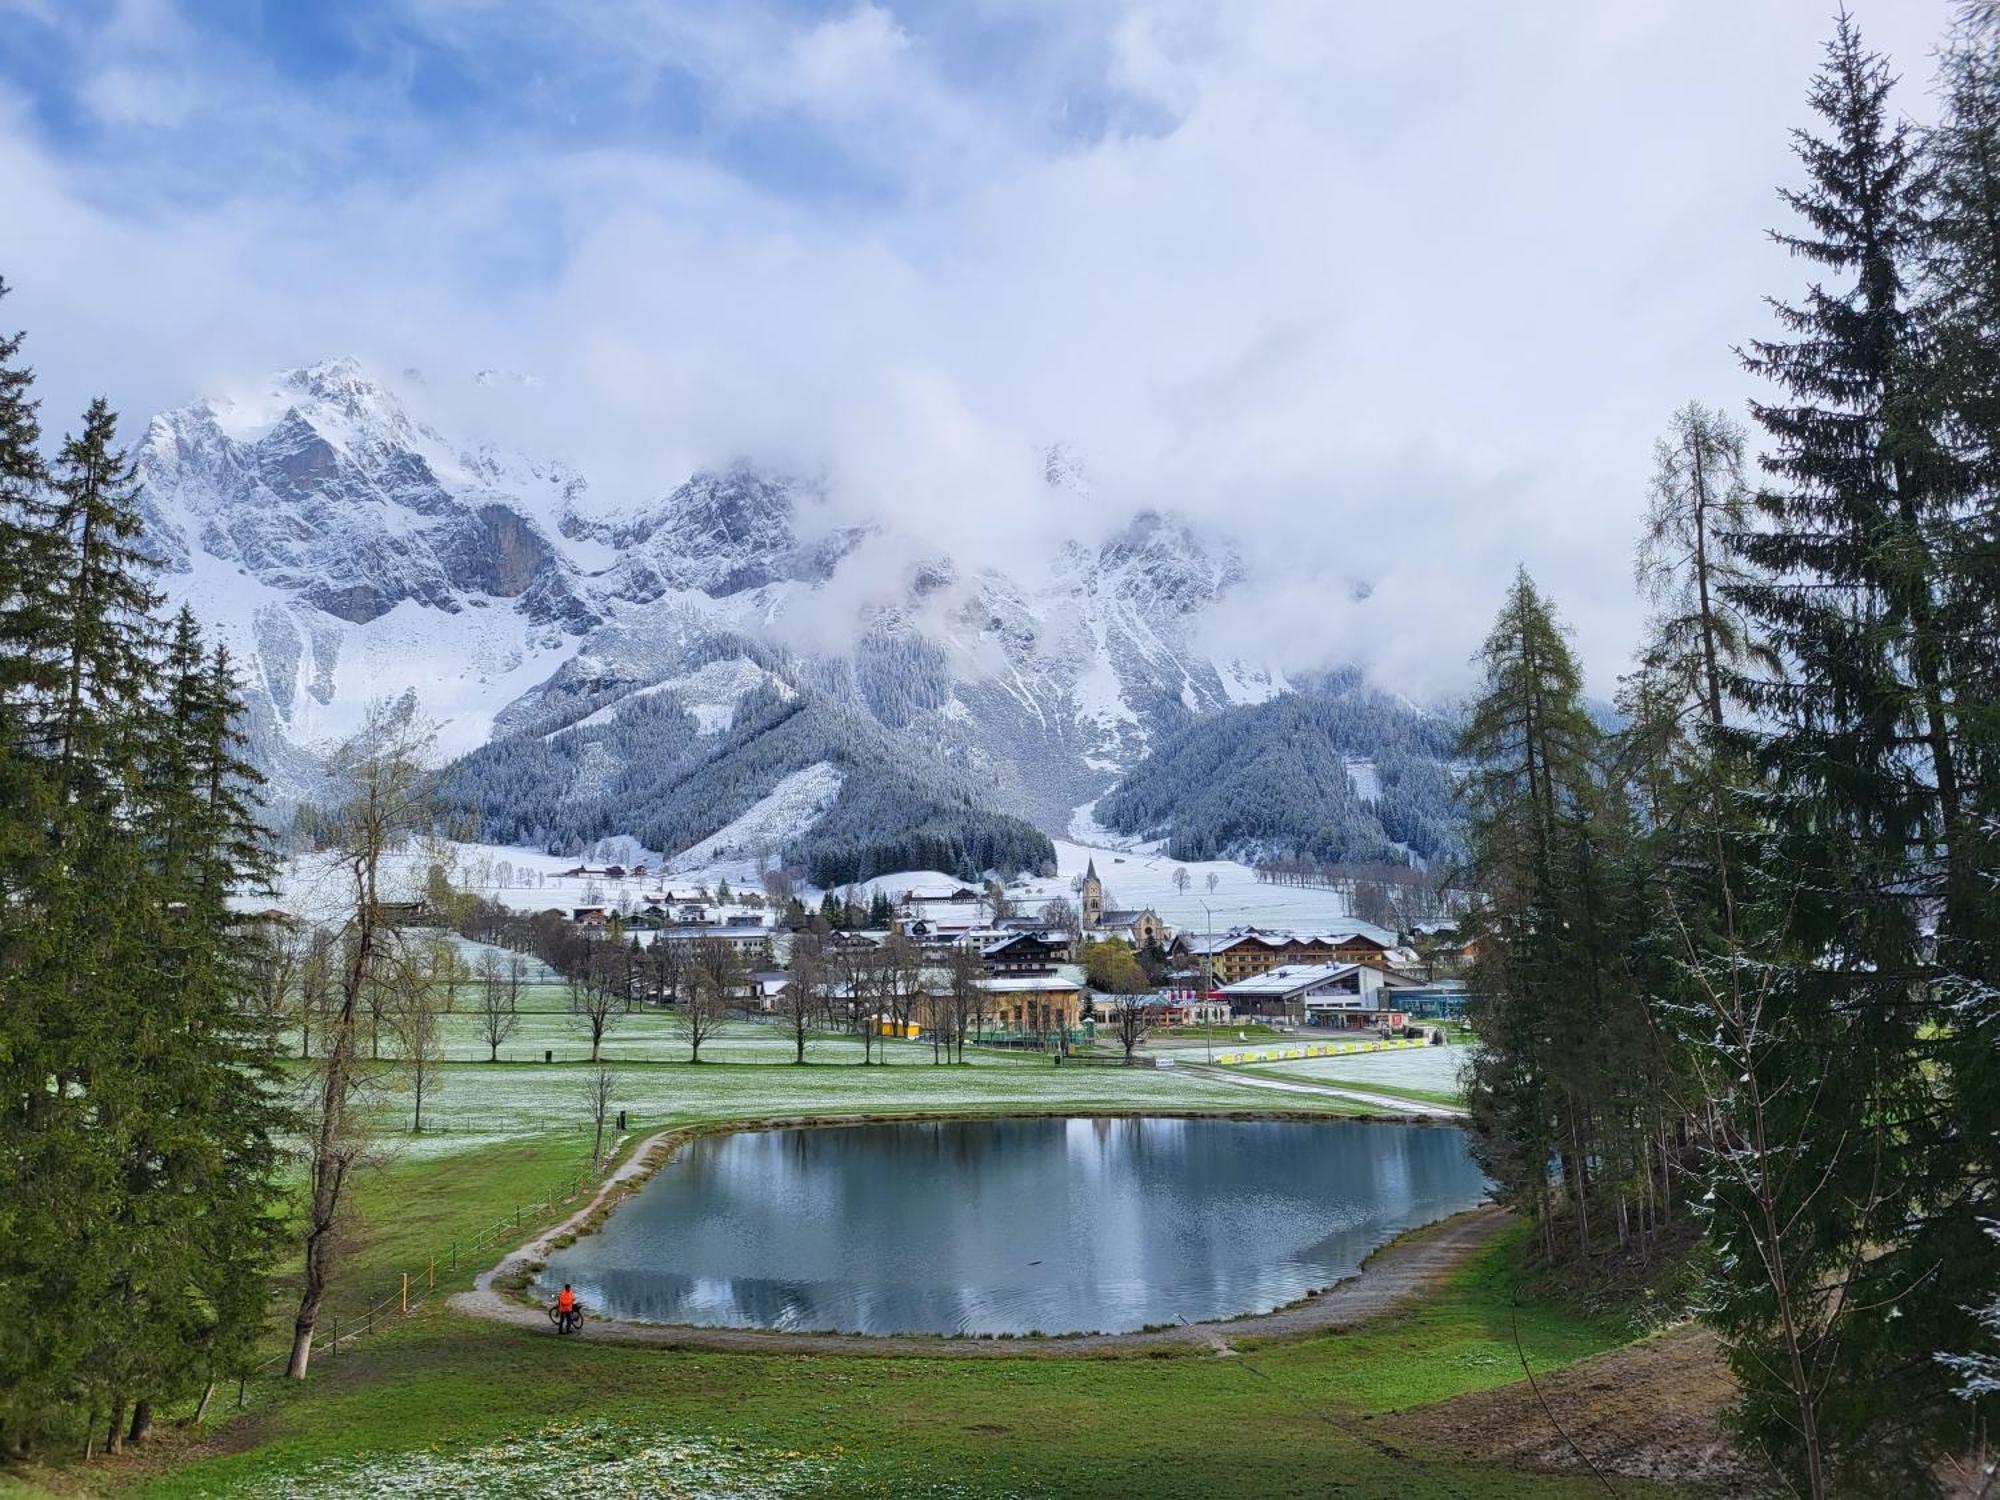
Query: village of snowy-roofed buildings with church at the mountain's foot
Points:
[1053, 965]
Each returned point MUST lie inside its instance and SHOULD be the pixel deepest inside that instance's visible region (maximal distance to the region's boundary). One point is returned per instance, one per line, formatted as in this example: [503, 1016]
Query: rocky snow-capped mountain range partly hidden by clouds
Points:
[351, 553]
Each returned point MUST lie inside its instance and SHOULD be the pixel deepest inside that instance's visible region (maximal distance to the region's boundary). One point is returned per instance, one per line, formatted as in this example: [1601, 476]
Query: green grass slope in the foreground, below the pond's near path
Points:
[449, 1405]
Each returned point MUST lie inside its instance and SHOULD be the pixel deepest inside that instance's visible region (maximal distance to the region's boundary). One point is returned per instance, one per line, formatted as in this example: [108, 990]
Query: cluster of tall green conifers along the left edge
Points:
[139, 1101]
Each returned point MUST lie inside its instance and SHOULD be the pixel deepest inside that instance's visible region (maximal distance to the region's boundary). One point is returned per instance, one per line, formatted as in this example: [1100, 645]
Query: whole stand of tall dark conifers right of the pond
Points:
[1739, 965]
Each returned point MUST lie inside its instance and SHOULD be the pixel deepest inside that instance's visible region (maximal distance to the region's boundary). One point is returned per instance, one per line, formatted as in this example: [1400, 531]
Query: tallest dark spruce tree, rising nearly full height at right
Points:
[1863, 807]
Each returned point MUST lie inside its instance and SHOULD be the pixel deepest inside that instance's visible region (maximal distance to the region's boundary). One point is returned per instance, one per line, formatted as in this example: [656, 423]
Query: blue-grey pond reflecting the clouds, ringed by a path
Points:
[1011, 1227]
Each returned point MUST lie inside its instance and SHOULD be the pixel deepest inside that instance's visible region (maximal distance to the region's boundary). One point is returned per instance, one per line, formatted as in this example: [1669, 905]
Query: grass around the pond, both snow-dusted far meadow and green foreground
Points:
[439, 1403]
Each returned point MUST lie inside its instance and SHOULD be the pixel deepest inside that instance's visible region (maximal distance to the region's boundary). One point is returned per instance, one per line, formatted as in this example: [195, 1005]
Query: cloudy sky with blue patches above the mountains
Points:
[1377, 289]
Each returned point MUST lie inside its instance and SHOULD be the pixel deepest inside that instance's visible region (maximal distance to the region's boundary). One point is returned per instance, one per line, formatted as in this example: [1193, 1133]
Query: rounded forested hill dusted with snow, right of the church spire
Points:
[1333, 773]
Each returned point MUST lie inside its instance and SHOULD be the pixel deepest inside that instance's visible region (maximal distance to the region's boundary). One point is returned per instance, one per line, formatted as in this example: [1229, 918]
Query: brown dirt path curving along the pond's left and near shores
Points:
[1395, 1275]
